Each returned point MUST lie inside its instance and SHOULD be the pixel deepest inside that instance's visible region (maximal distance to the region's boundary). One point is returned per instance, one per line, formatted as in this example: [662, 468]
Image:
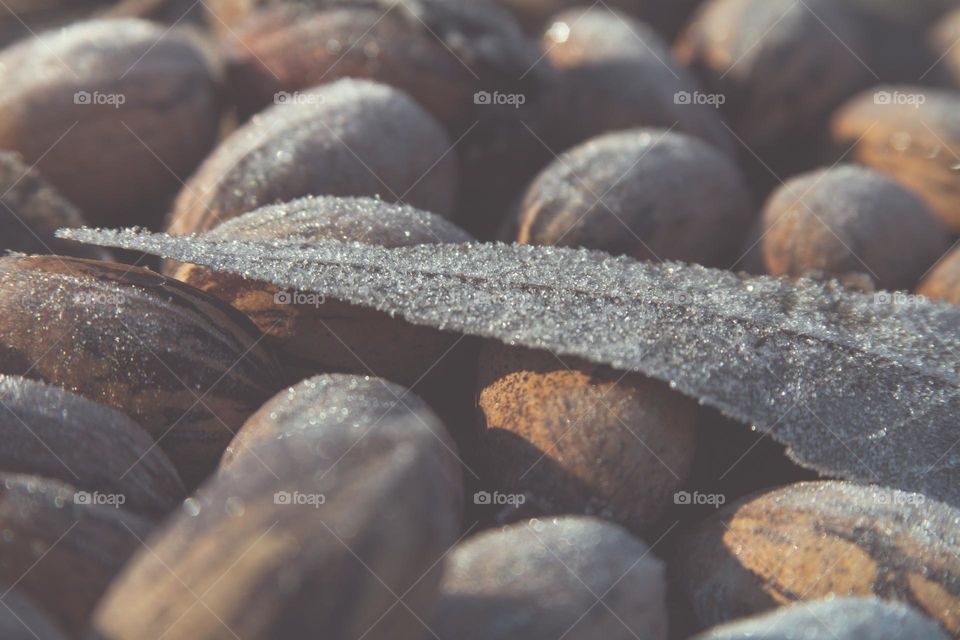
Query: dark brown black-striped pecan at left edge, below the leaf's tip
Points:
[184, 365]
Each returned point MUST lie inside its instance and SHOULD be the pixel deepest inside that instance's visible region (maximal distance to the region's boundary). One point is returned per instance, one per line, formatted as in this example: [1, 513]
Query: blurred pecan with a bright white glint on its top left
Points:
[617, 73]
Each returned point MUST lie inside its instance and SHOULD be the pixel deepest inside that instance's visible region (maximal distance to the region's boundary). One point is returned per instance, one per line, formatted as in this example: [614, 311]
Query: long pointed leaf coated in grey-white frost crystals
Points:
[857, 386]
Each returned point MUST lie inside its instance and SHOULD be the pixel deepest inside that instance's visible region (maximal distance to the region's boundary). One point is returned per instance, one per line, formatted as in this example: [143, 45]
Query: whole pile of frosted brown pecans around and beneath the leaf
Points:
[192, 454]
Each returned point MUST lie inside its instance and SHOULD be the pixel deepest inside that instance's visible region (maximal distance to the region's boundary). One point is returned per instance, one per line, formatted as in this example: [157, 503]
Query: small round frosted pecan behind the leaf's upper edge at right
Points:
[848, 220]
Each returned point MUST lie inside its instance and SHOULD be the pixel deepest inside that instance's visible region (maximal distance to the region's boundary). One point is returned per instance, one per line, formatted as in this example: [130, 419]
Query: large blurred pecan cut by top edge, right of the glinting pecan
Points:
[781, 65]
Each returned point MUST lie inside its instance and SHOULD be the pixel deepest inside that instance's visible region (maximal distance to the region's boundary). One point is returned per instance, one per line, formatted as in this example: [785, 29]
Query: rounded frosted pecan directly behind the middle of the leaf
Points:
[647, 193]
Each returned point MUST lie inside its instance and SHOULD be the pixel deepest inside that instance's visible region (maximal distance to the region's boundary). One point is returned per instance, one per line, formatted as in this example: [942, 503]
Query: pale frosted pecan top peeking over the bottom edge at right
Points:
[840, 618]
